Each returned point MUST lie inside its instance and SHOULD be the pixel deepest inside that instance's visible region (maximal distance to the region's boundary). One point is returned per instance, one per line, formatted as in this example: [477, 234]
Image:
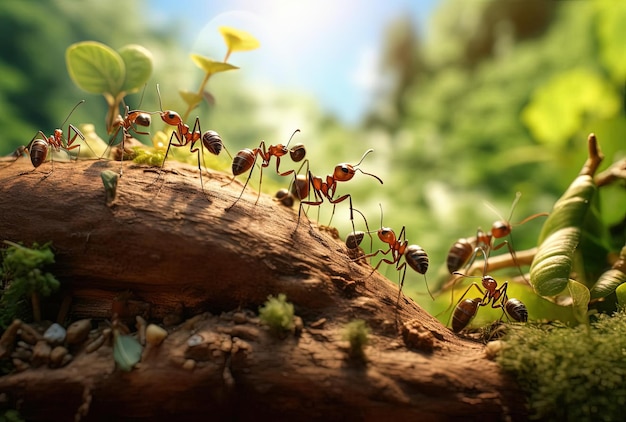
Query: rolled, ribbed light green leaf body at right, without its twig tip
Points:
[559, 238]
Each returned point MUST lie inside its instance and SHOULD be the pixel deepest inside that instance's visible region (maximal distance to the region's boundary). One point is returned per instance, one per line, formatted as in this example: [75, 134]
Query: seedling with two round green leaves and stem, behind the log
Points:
[98, 69]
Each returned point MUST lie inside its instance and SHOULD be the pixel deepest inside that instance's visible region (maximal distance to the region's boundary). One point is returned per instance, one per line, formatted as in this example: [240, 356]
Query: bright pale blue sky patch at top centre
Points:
[327, 48]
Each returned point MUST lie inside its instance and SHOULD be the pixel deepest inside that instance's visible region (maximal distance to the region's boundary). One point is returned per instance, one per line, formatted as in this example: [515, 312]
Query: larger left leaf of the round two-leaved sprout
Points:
[95, 67]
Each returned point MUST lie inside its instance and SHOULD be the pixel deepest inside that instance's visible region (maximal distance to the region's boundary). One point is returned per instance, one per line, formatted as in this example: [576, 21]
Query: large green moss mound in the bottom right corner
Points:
[571, 373]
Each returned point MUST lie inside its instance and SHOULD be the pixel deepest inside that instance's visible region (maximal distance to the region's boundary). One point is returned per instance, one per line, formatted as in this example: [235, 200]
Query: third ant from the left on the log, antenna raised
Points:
[210, 139]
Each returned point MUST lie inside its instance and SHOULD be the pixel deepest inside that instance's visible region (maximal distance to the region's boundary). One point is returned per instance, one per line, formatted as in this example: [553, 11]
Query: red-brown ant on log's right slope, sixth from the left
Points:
[414, 255]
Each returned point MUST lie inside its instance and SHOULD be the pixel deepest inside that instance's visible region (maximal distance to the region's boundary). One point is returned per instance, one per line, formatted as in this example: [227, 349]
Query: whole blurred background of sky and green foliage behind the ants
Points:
[463, 101]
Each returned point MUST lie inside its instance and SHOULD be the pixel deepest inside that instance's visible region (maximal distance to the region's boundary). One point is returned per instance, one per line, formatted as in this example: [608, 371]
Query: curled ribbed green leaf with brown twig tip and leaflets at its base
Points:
[573, 244]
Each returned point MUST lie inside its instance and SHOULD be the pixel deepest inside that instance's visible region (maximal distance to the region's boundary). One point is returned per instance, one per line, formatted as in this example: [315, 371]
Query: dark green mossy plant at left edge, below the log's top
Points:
[23, 276]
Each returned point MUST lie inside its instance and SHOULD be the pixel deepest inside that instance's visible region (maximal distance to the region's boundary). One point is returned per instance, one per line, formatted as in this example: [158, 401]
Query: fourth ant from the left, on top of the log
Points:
[246, 159]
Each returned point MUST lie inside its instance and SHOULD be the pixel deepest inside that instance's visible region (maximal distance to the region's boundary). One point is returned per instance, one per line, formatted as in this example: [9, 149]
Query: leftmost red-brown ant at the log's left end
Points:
[39, 146]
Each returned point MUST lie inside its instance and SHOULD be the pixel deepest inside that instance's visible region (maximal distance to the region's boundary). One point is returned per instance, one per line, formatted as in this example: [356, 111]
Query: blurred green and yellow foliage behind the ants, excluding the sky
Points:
[498, 97]
